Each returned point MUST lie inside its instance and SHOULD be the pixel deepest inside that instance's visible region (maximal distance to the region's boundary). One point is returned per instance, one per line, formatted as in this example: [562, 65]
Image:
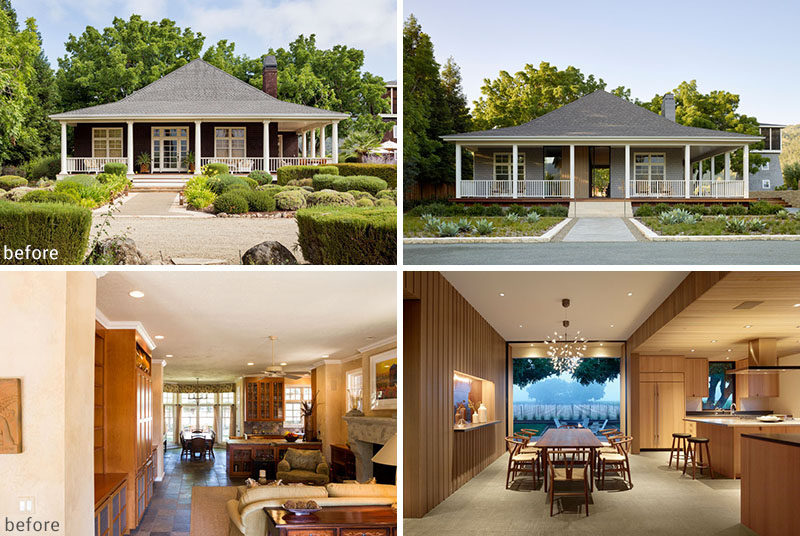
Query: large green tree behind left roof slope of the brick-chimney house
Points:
[102, 67]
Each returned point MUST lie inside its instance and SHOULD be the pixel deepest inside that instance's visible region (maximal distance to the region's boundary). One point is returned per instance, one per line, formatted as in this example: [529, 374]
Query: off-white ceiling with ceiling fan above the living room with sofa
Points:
[213, 323]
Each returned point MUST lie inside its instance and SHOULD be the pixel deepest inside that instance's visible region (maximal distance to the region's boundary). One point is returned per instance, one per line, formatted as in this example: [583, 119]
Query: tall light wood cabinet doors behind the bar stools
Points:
[662, 407]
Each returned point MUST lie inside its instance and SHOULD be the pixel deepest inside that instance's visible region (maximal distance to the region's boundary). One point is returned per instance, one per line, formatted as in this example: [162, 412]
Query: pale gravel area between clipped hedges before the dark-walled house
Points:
[208, 238]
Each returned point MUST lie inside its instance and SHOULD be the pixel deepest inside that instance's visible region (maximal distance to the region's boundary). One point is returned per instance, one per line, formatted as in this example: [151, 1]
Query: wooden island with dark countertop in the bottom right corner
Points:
[770, 473]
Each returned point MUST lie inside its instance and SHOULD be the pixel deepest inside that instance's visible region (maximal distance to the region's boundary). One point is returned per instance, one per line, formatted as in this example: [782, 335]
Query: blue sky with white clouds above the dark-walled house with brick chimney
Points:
[254, 25]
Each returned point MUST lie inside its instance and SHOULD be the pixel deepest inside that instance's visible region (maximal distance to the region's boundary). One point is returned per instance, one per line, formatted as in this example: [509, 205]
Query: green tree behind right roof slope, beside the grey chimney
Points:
[715, 110]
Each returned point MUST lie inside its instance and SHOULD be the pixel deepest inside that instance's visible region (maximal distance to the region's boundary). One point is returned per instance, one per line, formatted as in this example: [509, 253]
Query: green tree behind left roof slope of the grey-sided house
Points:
[530, 93]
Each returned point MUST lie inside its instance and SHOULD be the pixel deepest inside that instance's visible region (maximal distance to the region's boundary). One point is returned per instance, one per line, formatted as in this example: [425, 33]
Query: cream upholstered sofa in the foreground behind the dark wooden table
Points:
[247, 516]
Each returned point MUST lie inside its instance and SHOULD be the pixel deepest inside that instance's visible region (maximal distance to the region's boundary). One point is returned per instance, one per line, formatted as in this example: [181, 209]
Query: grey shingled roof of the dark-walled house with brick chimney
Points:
[198, 89]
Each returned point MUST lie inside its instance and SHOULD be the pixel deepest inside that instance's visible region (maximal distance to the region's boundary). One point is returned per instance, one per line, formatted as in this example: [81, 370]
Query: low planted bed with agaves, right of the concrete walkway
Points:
[713, 226]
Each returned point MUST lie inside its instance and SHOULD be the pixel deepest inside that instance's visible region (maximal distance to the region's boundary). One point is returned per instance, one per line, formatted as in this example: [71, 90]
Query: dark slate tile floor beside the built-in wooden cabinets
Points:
[169, 510]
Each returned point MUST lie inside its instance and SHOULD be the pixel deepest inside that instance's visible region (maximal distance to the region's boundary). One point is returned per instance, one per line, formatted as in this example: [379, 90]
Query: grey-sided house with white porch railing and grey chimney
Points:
[601, 146]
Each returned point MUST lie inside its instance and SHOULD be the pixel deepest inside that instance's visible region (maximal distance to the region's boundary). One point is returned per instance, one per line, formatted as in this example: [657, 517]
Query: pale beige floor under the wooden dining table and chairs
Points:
[661, 502]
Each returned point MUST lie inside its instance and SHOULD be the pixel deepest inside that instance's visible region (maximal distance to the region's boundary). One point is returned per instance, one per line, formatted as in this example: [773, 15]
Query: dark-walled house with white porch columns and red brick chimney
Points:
[203, 110]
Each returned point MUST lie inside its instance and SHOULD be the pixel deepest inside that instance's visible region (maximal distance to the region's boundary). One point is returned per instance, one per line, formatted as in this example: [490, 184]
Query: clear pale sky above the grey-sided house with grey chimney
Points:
[650, 47]
